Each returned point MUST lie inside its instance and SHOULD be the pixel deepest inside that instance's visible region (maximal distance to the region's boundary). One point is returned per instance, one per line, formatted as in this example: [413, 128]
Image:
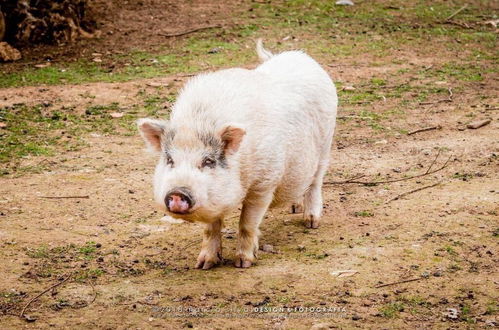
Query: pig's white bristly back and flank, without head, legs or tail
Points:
[287, 107]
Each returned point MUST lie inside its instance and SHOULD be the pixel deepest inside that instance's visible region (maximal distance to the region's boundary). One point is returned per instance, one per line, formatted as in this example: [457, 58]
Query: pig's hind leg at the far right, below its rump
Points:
[312, 201]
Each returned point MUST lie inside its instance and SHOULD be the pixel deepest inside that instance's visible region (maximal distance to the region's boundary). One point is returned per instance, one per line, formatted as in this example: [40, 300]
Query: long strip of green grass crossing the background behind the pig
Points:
[324, 29]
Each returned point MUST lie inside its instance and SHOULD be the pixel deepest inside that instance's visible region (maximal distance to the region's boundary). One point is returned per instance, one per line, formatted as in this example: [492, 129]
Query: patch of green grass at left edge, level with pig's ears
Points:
[38, 131]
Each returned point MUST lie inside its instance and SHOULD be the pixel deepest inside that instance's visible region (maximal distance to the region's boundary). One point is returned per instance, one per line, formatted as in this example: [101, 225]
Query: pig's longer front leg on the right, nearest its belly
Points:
[254, 209]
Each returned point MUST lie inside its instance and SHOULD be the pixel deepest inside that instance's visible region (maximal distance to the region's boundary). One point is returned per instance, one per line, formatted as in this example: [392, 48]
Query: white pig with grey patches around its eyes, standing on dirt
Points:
[245, 138]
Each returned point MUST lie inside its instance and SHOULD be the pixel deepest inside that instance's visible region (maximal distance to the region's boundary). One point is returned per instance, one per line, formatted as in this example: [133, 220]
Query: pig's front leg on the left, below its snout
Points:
[211, 248]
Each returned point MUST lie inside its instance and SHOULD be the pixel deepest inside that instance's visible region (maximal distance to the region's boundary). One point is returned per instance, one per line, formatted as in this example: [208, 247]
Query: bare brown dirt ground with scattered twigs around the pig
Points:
[427, 259]
